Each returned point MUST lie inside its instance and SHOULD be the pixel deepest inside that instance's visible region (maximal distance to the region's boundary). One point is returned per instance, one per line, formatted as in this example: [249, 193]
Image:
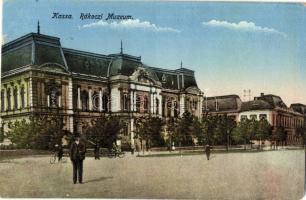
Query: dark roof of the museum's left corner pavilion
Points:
[34, 49]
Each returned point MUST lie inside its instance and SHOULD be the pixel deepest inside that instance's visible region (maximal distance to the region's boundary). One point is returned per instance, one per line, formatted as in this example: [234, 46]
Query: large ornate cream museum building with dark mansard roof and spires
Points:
[39, 76]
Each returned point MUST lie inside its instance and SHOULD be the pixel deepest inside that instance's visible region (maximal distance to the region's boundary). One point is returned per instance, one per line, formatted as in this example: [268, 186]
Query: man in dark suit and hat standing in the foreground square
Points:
[77, 155]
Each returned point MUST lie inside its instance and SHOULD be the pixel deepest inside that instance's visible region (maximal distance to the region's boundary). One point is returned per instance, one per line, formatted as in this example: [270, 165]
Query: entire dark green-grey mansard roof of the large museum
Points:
[38, 49]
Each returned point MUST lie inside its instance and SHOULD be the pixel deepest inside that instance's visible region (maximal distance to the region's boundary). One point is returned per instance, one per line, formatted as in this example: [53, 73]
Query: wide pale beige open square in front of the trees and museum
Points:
[262, 175]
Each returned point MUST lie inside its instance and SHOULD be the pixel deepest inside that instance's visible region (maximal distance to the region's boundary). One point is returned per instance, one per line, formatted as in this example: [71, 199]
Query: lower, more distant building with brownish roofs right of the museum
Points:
[270, 107]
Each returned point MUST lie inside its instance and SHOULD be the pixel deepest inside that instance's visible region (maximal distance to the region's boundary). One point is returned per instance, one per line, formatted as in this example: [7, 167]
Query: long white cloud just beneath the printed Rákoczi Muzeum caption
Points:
[130, 24]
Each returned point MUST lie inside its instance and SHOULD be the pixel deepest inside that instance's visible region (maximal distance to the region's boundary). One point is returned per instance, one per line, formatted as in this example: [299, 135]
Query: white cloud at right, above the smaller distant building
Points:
[242, 26]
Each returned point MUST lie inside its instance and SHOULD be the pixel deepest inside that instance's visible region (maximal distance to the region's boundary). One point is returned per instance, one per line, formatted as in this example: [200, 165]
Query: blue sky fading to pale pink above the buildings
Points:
[232, 47]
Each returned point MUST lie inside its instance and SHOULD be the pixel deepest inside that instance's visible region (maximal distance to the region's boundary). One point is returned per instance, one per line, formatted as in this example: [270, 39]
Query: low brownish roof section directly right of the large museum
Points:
[224, 103]
